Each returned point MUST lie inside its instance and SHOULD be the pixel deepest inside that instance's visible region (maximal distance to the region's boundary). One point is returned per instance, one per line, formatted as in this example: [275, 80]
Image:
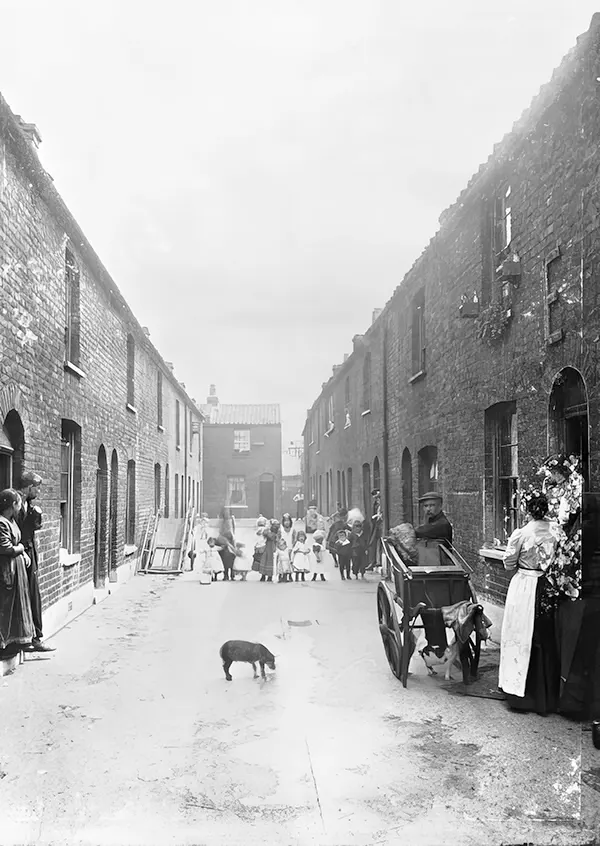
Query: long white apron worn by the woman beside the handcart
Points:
[517, 631]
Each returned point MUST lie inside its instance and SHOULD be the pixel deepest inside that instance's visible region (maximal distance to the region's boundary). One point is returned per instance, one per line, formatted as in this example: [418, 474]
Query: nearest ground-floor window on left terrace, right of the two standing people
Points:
[70, 486]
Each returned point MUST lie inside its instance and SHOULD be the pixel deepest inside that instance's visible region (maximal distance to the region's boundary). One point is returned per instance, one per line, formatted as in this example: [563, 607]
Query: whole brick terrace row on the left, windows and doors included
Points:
[85, 399]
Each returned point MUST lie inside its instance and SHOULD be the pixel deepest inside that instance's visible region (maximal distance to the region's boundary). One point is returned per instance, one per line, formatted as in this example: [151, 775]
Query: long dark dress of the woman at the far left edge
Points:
[16, 621]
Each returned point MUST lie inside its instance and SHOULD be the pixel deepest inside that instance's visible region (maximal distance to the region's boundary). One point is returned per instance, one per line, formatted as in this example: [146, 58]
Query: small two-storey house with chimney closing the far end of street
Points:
[242, 458]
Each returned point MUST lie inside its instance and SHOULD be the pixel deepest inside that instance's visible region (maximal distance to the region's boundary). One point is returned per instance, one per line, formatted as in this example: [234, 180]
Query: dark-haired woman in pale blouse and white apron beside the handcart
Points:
[529, 672]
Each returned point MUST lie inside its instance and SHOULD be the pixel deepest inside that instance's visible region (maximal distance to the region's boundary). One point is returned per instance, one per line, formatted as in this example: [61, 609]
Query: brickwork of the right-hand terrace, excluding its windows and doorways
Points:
[551, 163]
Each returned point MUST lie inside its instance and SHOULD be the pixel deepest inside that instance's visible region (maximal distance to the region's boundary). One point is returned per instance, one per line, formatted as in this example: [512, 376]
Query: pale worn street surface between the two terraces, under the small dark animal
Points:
[130, 734]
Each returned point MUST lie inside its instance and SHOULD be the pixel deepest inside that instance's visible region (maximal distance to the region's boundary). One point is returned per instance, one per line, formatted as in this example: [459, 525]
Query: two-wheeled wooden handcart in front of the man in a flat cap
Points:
[441, 578]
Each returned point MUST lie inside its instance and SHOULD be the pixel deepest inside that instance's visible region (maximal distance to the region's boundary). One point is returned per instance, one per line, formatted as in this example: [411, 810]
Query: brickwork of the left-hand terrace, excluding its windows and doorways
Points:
[35, 230]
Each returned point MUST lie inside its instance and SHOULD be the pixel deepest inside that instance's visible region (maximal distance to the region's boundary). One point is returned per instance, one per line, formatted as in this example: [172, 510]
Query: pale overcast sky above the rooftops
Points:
[258, 176]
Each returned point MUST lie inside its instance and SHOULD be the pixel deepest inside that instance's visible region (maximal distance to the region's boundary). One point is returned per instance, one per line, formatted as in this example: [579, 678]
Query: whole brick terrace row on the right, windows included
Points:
[485, 359]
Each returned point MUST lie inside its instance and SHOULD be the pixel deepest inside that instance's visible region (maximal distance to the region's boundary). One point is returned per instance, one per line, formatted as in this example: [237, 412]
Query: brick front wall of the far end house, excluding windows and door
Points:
[220, 461]
